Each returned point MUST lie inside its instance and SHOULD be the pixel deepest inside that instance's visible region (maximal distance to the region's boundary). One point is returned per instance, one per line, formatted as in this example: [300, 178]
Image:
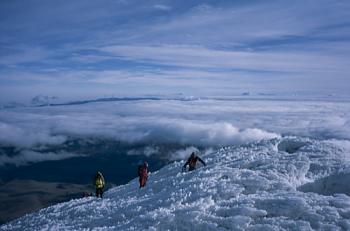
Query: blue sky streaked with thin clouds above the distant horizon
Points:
[85, 49]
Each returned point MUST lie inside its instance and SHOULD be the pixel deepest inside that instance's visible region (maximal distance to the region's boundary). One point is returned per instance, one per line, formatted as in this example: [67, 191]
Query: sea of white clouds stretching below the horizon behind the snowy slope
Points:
[194, 123]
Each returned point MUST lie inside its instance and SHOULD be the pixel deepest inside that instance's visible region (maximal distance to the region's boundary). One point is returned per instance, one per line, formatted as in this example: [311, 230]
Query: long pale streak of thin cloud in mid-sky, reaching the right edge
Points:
[201, 57]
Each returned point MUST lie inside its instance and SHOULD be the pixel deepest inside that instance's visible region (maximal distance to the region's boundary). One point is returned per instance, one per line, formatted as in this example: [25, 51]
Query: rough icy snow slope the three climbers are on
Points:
[289, 183]
